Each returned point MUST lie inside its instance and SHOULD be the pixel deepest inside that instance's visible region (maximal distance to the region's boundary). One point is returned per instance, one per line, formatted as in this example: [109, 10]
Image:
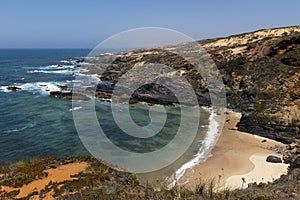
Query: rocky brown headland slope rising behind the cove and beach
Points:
[260, 70]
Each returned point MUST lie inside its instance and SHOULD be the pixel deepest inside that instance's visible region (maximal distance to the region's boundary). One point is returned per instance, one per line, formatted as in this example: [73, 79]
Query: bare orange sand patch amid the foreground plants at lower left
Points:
[61, 173]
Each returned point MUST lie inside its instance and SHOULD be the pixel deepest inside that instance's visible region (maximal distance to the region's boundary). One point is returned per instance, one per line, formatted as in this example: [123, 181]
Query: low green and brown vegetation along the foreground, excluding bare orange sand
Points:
[102, 182]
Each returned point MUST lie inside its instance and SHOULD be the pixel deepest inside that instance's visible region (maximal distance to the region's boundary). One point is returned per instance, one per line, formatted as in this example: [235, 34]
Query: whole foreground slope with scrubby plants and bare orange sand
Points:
[29, 180]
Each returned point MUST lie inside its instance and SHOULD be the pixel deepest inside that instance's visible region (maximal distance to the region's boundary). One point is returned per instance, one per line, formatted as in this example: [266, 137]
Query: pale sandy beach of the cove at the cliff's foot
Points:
[236, 155]
